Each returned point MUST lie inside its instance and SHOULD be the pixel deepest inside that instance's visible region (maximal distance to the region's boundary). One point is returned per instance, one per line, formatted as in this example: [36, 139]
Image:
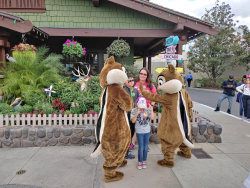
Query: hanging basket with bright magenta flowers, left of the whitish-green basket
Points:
[73, 49]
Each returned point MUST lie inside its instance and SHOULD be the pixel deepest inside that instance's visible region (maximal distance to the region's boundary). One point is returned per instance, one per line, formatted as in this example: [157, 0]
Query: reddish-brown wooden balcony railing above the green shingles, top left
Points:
[22, 4]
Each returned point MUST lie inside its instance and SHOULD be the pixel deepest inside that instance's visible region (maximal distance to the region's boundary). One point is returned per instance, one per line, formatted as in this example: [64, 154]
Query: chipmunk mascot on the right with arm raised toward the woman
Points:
[174, 128]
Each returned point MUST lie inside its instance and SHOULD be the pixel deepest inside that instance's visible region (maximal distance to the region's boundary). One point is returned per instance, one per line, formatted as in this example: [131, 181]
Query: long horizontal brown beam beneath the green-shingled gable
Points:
[80, 32]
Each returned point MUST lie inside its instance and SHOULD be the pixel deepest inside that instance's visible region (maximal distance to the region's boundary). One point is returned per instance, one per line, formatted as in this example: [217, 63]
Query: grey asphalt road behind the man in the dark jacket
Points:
[211, 98]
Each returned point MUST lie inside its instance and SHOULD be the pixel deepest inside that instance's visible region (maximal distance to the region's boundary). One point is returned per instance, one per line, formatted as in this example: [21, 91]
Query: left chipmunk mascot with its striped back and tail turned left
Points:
[112, 130]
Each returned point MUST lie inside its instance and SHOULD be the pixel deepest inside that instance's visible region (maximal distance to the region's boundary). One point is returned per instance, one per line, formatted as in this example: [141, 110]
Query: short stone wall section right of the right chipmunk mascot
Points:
[206, 131]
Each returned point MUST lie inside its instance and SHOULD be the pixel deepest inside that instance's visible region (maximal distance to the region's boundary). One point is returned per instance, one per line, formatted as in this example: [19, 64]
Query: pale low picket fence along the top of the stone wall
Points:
[59, 120]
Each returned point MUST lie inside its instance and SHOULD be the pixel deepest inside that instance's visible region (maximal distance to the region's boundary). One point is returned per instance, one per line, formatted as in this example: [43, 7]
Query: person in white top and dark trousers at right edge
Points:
[244, 89]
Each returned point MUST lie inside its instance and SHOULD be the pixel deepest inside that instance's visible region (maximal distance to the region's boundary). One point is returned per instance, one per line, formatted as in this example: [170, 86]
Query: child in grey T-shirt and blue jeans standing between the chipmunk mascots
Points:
[141, 116]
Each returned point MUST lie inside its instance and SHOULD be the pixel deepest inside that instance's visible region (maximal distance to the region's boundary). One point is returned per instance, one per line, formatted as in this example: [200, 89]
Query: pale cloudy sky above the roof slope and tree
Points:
[196, 8]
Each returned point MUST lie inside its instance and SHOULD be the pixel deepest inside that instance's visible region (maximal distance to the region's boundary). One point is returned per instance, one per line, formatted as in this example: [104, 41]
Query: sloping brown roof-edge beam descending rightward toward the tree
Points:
[188, 23]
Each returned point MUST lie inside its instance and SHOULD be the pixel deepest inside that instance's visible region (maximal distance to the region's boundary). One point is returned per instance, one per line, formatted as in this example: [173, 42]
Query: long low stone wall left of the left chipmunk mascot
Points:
[15, 137]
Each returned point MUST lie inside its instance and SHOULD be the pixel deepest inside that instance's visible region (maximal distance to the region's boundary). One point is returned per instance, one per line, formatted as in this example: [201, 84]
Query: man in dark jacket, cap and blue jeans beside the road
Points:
[229, 87]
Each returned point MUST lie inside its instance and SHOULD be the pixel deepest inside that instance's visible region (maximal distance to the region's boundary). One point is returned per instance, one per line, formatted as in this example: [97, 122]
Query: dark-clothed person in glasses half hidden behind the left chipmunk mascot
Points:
[134, 94]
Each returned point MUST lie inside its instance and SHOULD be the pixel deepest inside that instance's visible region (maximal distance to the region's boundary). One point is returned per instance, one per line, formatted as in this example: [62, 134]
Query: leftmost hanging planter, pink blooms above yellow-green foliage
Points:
[24, 53]
